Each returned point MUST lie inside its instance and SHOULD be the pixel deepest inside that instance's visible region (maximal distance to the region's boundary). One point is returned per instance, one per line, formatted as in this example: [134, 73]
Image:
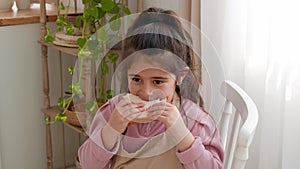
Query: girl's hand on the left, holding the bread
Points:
[124, 112]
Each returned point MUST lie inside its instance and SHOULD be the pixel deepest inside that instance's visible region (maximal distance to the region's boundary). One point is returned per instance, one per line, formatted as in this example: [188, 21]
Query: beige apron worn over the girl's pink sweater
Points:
[156, 153]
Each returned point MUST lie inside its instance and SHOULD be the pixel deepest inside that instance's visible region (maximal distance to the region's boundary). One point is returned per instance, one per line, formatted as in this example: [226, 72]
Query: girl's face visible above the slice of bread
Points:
[150, 82]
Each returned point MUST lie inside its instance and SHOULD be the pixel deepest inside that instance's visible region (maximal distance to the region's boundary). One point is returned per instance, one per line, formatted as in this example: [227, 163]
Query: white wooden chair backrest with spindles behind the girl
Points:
[237, 125]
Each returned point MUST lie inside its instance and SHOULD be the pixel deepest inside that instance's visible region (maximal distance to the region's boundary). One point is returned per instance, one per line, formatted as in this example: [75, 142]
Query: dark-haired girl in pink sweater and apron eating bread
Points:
[159, 64]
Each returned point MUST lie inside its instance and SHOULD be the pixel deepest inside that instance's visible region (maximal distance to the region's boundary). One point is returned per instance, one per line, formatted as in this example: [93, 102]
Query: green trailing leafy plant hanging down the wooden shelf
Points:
[92, 44]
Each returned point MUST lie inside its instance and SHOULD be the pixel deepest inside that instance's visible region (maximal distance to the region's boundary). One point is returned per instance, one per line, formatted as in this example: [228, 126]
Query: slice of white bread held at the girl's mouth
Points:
[144, 117]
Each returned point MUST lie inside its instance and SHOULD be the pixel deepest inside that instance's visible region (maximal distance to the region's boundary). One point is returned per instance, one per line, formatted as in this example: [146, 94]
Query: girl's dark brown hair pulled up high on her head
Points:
[156, 28]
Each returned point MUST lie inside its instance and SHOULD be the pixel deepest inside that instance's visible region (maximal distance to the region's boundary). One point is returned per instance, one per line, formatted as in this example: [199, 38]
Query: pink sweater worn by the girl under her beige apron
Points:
[206, 152]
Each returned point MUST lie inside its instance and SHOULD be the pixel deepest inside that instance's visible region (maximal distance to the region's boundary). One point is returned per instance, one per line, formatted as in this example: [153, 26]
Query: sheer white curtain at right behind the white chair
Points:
[259, 47]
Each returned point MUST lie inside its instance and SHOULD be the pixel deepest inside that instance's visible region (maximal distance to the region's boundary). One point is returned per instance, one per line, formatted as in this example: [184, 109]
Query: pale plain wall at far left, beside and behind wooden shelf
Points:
[22, 131]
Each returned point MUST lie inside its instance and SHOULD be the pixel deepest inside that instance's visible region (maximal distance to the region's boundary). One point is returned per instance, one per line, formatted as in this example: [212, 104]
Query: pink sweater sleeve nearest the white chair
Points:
[206, 151]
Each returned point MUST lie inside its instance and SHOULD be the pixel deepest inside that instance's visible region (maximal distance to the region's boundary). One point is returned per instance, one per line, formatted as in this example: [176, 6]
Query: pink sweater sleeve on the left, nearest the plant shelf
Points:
[92, 153]
